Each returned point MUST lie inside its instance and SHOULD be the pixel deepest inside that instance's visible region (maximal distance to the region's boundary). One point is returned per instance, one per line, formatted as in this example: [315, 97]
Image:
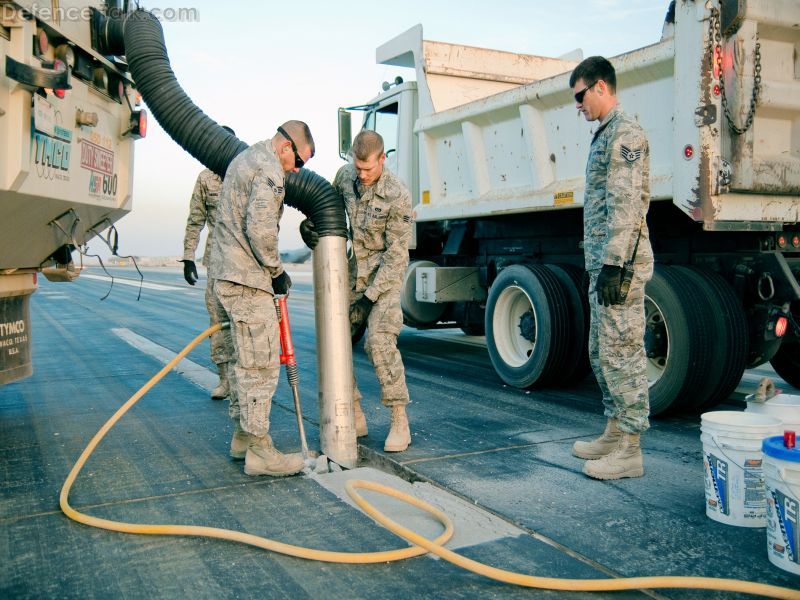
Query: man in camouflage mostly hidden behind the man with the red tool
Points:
[202, 213]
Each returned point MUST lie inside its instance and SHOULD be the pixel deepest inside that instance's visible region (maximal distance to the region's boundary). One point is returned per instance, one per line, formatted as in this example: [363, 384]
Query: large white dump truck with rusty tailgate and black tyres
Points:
[494, 151]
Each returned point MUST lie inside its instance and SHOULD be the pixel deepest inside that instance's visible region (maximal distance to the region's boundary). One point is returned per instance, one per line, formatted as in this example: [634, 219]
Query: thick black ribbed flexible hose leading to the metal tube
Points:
[139, 36]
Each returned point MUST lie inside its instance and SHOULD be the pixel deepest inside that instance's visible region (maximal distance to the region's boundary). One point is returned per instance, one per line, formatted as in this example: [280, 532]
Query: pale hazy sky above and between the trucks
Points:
[253, 64]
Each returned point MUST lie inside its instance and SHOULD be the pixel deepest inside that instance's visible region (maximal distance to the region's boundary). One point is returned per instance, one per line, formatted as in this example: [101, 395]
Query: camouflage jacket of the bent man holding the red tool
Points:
[245, 245]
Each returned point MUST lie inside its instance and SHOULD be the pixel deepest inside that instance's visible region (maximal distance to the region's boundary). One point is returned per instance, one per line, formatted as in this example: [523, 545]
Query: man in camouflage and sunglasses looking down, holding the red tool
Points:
[246, 265]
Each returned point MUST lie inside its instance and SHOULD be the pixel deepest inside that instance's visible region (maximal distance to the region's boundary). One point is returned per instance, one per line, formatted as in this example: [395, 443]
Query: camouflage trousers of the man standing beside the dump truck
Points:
[616, 352]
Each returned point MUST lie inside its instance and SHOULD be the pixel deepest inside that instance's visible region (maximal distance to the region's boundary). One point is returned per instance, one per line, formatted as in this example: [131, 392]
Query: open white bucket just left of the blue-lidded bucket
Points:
[732, 460]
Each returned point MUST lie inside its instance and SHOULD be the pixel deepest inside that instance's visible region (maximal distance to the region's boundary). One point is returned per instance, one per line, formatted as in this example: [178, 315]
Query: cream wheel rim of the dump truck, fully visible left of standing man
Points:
[512, 307]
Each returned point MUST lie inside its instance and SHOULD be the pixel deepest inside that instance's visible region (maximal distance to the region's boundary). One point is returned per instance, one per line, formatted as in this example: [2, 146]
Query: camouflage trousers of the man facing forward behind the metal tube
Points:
[383, 326]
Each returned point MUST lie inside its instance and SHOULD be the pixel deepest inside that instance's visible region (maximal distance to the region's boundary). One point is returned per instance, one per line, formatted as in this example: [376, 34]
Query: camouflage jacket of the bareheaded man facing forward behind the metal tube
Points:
[380, 222]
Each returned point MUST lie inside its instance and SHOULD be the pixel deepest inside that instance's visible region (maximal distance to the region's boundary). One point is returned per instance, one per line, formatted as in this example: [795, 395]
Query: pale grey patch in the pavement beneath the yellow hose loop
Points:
[472, 524]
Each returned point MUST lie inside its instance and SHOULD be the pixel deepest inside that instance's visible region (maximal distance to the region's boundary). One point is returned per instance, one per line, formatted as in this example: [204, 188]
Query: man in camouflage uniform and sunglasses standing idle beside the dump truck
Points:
[616, 200]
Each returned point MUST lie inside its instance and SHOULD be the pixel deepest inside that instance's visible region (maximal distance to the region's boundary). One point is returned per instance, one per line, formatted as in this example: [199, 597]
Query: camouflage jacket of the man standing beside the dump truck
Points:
[617, 193]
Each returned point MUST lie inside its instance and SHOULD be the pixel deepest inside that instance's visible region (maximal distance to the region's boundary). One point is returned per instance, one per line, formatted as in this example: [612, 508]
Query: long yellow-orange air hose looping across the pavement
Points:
[421, 546]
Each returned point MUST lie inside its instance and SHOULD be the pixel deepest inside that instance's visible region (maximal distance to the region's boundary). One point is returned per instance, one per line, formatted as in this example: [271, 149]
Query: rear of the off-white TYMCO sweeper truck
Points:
[68, 118]
